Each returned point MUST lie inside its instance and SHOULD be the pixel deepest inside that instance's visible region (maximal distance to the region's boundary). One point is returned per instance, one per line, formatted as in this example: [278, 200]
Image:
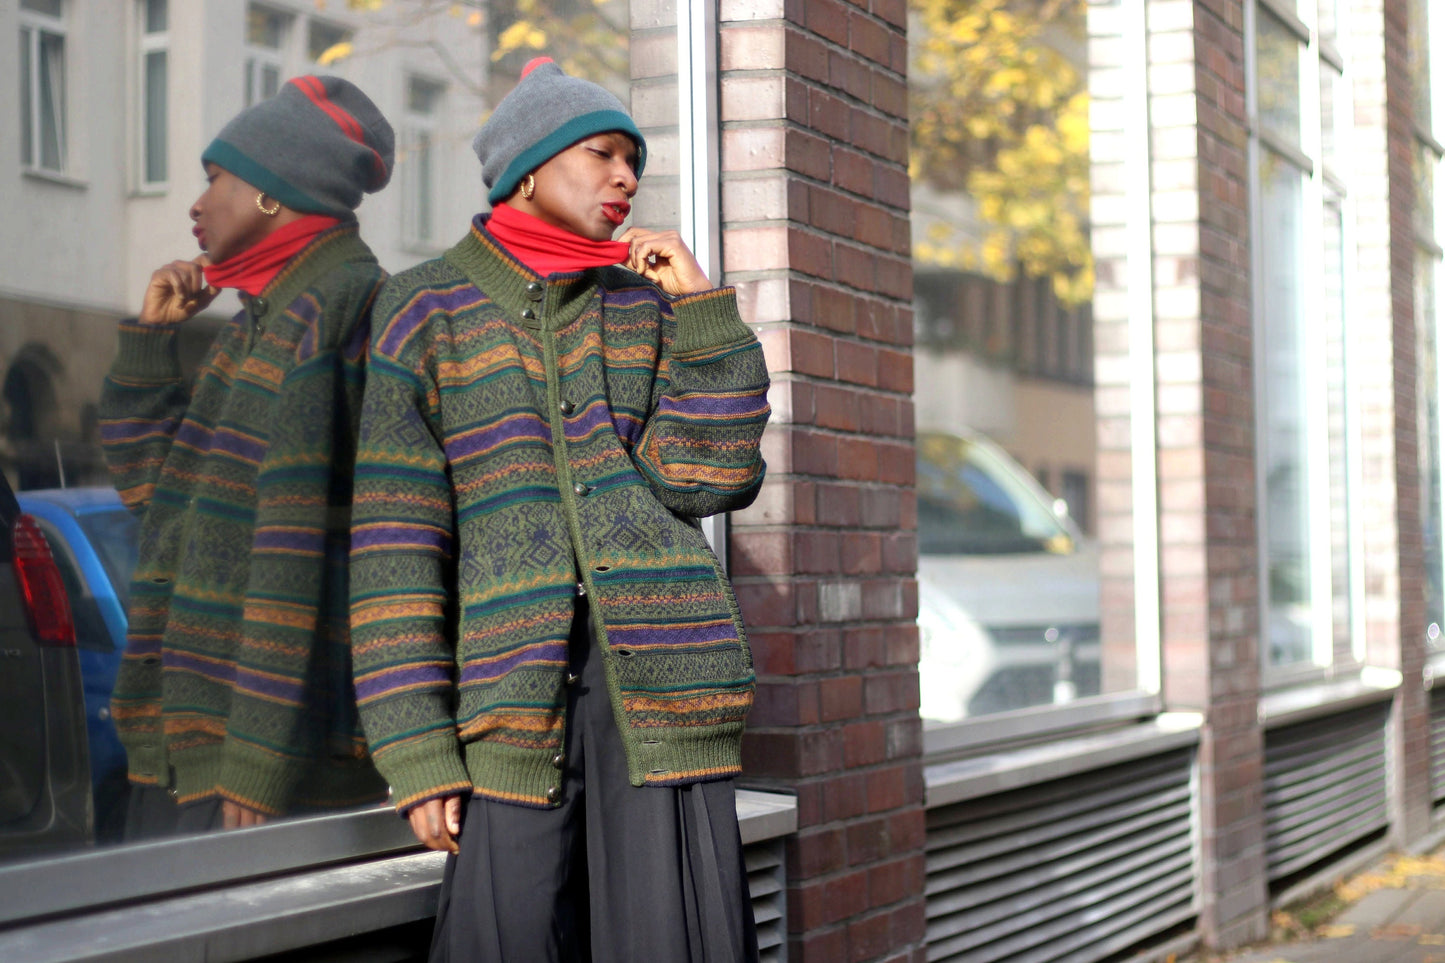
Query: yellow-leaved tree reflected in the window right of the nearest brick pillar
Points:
[1001, 112]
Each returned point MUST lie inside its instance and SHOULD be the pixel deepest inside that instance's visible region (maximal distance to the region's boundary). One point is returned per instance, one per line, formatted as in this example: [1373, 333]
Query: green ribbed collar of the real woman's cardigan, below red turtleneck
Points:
[506, 281]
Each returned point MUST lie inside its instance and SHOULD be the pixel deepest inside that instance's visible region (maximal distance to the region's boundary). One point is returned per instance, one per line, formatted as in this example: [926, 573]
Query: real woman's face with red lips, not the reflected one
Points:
[586, 189]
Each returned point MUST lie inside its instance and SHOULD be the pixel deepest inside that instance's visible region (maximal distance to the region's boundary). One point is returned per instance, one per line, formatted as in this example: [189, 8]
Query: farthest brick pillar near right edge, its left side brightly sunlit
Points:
[1386, 345]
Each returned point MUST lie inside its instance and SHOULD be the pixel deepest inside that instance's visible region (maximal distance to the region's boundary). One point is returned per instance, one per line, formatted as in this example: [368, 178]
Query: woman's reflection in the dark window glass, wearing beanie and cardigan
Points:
[233, 699]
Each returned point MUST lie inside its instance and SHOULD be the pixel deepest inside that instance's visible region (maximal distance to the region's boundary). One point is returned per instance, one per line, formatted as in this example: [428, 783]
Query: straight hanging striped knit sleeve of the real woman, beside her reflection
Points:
[402, 550]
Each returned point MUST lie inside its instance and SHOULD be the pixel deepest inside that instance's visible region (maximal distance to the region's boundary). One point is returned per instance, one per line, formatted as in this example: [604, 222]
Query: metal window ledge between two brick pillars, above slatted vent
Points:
[1011, 770]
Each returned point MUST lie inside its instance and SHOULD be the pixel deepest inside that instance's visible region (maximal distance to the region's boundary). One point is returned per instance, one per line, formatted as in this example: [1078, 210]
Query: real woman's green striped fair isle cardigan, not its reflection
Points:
[524, 437]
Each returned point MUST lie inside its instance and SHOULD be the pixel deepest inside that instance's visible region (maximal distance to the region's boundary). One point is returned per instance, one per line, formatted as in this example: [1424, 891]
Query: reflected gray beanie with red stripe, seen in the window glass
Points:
[316, 147]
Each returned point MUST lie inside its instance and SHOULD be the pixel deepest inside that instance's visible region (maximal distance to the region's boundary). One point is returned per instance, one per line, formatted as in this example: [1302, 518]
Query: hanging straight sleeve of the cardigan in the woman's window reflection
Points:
[291, 702]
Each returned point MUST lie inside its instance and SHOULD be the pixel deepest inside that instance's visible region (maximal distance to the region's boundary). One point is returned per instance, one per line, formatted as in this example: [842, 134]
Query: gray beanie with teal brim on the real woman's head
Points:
[544, 115]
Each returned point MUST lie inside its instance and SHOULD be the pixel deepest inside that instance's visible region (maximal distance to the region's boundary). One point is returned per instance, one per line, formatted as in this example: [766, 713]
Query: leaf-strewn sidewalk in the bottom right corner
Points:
[1392, 915]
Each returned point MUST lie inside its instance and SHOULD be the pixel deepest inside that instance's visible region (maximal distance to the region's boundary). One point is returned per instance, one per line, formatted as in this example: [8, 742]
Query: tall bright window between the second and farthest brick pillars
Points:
[1306, 442]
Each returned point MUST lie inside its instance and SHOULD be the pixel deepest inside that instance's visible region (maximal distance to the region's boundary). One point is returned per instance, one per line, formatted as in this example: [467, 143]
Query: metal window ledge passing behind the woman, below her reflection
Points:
[274, 916]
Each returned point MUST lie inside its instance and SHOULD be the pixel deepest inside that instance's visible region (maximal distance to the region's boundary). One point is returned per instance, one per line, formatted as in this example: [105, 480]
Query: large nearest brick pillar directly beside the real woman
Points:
[816, 235]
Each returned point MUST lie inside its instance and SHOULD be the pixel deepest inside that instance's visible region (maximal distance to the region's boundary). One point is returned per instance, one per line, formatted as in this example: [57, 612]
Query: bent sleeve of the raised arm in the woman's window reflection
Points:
[142, 404]
